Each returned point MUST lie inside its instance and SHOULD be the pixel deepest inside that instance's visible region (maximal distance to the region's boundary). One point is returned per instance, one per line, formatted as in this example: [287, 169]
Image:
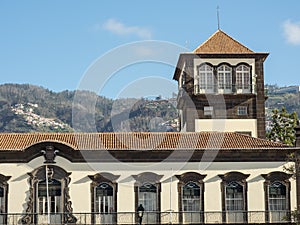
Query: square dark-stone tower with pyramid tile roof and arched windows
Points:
[221, 87]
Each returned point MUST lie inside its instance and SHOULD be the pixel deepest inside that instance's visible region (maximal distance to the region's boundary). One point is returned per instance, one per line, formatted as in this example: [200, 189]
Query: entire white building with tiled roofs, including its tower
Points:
[199, 176]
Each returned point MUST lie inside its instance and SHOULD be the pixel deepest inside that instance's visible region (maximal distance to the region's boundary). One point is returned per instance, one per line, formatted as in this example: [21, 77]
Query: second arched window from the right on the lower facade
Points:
[234, 197]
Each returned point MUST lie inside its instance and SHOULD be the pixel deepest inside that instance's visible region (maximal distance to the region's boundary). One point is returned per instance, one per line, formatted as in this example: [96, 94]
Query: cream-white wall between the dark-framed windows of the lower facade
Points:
[80, 183]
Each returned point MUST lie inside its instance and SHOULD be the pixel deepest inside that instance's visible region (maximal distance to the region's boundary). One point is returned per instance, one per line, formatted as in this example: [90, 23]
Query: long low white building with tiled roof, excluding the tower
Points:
[206, 177]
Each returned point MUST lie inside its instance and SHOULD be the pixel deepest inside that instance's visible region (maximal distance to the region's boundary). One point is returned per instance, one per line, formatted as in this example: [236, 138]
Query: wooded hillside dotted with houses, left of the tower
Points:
[29, 108]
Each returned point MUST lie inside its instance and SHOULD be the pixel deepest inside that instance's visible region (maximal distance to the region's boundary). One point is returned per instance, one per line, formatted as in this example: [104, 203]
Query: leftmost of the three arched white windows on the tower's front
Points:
[206, 79]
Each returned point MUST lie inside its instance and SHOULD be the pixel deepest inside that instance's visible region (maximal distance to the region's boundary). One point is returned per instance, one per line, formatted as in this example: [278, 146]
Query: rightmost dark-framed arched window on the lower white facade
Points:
[277, 196]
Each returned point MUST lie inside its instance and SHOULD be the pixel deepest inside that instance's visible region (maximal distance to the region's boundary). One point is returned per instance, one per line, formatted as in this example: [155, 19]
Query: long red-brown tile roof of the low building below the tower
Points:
[137, 141]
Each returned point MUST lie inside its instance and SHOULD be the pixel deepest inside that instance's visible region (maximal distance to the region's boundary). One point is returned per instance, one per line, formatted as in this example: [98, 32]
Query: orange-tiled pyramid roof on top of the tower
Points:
[220, 42]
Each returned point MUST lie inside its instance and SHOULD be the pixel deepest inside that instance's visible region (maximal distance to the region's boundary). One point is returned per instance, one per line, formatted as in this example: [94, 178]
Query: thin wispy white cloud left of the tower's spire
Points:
[121, 29]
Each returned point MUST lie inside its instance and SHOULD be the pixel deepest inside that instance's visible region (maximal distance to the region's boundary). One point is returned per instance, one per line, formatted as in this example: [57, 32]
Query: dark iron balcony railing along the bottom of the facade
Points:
[250, 217]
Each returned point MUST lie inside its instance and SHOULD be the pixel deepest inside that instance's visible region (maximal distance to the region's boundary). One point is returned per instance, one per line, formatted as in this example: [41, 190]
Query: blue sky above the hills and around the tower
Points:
[54, 43]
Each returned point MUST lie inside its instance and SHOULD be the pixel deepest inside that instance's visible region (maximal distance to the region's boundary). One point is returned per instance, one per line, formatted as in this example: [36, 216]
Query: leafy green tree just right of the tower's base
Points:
[283, 126]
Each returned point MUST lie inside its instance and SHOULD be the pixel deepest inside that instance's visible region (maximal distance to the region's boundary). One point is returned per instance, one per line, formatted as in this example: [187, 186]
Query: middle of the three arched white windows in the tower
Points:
[224, 79]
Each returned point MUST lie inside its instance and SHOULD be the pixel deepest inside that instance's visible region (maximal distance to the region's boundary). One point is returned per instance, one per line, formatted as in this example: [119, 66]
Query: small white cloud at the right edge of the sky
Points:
[292, 32]
